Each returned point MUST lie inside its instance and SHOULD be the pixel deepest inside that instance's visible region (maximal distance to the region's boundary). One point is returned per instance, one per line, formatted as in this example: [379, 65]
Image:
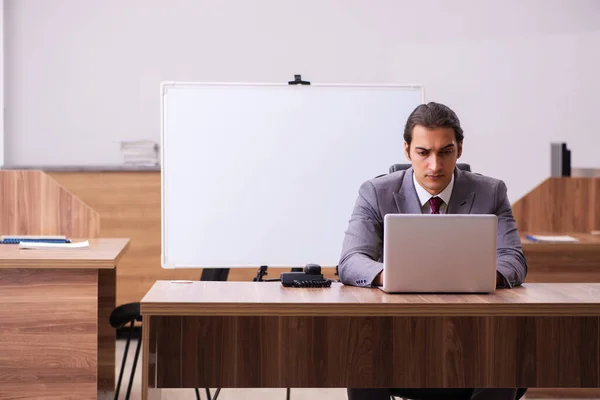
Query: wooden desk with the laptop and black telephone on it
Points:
[246, 334]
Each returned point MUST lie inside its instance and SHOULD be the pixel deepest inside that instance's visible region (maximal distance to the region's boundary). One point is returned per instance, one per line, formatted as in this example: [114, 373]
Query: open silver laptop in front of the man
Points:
[444, 253]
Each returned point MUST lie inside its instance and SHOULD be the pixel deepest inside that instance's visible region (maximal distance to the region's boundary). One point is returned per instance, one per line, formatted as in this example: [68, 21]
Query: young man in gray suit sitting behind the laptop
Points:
[433, 142]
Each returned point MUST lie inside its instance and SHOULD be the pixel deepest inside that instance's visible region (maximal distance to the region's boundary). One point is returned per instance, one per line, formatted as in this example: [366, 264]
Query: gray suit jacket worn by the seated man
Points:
[362, 250]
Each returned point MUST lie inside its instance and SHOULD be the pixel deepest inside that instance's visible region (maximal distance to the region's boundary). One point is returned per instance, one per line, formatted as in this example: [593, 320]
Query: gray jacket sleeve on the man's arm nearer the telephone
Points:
[363, 241]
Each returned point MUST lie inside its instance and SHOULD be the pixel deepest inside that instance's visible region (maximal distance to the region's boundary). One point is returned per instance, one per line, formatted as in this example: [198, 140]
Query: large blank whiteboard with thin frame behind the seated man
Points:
[268, 174]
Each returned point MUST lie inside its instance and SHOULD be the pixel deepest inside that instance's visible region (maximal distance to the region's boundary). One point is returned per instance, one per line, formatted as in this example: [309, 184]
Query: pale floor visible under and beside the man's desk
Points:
[226, 394]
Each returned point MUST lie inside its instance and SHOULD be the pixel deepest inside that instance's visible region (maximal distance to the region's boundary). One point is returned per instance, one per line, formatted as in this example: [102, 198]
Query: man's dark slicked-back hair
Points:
[433, 115]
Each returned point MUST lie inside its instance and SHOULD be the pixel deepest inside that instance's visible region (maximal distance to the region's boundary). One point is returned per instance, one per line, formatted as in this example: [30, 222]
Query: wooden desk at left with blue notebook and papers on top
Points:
[55, 337]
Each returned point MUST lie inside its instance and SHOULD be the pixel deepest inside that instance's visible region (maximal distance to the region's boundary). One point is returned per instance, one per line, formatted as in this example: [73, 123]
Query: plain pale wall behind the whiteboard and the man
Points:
[83, 75]
